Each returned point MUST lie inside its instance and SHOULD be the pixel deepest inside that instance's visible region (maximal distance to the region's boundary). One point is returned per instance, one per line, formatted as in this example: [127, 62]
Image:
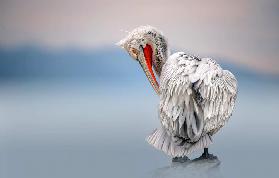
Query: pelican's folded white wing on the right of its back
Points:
[217, 91]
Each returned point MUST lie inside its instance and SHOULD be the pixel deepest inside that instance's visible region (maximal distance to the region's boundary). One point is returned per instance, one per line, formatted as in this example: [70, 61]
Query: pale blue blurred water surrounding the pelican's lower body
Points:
[53, 129]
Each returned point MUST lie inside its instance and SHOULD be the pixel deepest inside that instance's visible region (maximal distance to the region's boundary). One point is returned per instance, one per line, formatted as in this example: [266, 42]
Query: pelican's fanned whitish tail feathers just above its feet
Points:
[161, 140]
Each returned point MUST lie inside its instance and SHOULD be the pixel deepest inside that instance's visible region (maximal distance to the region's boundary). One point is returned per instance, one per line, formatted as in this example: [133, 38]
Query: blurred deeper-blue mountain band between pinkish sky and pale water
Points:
[106, 64]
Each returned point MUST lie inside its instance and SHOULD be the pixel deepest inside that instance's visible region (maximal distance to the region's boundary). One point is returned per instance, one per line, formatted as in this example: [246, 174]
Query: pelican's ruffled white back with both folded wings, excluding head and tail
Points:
[197, 97]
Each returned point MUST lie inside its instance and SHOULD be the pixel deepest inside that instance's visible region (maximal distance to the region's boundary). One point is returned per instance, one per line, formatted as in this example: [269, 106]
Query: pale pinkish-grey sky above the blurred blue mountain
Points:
[244, 32]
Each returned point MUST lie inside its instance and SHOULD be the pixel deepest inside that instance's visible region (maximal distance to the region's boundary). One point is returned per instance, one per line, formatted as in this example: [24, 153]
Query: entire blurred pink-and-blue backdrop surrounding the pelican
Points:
[72, 104]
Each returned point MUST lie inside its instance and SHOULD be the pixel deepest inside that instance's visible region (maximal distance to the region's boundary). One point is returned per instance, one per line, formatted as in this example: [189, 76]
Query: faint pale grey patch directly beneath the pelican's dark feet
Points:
[197, 168]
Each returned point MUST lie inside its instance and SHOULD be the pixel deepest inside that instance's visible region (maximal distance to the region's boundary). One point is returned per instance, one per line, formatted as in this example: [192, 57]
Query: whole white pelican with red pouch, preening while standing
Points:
[197, 96]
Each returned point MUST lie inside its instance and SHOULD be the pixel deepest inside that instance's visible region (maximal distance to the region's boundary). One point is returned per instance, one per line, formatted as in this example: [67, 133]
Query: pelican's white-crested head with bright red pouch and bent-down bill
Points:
[148, 46]
